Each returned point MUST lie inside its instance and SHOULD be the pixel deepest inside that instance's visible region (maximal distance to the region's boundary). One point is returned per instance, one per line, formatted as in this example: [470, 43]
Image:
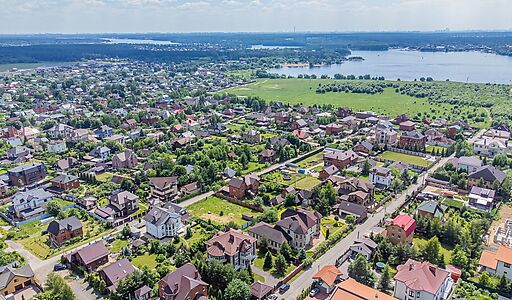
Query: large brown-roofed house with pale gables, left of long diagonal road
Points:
[302, 225]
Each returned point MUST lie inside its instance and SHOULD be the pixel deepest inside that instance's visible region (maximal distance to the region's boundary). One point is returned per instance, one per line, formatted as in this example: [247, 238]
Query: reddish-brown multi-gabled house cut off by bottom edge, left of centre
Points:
[182, 284]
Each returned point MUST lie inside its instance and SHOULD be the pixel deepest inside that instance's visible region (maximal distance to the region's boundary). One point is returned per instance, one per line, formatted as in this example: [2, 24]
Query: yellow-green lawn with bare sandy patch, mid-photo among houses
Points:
[220, 211]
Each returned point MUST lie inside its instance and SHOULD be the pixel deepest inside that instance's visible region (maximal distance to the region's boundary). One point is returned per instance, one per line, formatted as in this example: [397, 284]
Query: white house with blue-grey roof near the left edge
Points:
[30, 203]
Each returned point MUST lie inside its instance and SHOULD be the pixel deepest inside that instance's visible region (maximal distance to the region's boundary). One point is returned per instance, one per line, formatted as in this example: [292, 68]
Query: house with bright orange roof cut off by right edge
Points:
[498, 262]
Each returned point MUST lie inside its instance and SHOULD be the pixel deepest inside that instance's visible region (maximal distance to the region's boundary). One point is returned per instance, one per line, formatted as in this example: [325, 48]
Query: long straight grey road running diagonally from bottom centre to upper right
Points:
[330, 257]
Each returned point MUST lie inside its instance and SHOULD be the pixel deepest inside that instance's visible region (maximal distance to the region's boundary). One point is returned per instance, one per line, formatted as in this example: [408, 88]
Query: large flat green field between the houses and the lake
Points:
[389, 102]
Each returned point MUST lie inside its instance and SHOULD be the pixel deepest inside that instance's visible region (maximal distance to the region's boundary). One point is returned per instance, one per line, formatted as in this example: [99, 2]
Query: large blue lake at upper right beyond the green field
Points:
[408, 65]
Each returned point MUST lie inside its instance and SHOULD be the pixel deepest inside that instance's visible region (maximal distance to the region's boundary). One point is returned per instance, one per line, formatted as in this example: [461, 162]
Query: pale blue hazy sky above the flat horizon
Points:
[124, 16]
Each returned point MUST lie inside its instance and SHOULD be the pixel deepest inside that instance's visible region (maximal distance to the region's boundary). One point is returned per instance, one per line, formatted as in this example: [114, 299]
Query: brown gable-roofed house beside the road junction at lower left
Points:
[89, 257]
